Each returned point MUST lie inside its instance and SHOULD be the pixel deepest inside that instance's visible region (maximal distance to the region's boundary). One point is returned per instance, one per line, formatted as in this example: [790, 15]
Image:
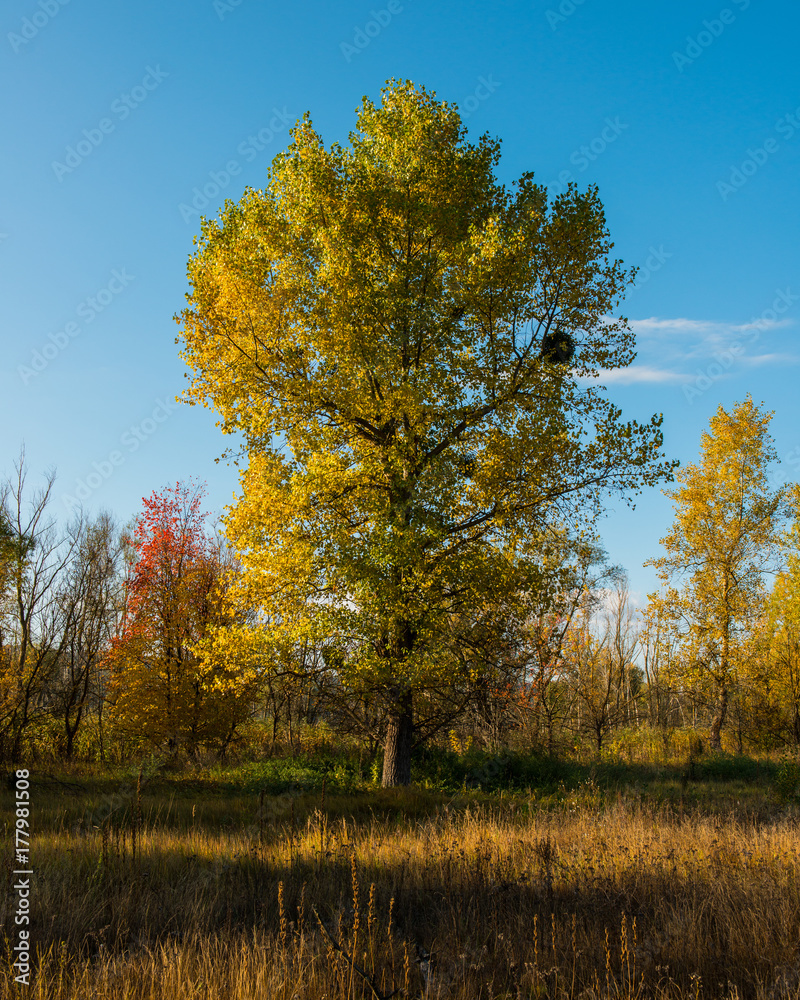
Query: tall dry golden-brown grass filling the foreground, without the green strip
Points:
[630, 901]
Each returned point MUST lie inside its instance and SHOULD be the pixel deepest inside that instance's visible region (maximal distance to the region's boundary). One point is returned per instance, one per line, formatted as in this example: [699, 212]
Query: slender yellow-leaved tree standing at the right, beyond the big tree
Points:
[721, 543]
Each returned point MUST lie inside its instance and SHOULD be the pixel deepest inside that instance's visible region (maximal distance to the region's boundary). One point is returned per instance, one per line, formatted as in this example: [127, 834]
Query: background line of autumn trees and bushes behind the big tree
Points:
[115, 642]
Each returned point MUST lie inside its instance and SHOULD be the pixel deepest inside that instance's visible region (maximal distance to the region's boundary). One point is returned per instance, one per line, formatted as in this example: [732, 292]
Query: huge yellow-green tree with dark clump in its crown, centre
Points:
[401, 340]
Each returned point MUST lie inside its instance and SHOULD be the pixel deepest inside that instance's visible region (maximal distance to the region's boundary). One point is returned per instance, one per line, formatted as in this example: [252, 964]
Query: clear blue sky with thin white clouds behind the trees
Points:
[687, 116]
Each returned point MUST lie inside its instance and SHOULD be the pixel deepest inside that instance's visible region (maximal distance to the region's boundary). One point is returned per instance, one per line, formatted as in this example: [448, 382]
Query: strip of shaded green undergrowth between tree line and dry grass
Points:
[285, 788]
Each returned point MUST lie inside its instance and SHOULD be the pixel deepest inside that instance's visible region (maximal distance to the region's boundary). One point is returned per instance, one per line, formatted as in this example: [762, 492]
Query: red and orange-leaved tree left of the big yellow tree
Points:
[179, 579]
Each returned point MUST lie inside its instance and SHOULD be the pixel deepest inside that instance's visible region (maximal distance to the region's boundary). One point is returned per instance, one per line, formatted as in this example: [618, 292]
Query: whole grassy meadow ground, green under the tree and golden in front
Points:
[504, 877]
